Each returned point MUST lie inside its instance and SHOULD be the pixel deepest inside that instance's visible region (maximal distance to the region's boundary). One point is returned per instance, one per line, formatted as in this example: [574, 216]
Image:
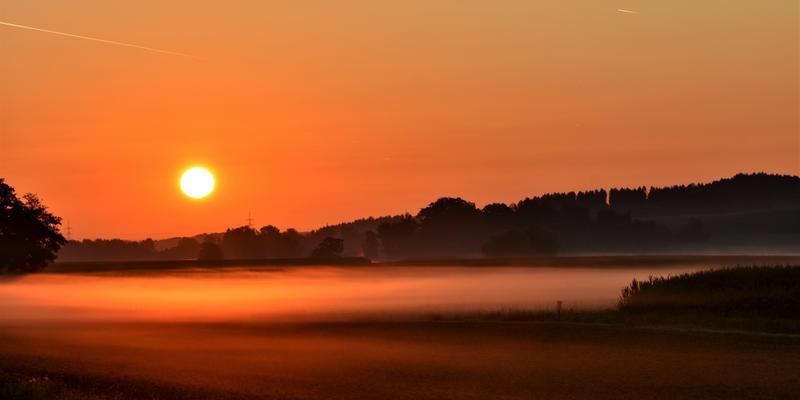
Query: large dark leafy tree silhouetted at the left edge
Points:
[29, 235]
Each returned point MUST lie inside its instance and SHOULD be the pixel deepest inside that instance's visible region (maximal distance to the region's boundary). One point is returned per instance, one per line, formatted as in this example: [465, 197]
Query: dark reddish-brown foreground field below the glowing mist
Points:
[393, 360]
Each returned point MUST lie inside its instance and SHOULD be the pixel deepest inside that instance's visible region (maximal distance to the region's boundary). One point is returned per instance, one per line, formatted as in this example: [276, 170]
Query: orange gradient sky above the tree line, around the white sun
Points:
[314, 112]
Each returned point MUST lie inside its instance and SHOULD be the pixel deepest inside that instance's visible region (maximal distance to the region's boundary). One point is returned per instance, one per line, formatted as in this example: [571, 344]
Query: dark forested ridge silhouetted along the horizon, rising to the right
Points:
[745, 213]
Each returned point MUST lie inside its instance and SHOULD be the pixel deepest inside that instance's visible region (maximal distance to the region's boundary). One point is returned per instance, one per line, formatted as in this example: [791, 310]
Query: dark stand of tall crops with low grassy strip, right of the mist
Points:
[755, 299]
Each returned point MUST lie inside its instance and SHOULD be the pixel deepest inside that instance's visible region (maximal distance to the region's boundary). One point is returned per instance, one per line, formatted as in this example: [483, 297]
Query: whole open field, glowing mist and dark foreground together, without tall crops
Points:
[335, 332]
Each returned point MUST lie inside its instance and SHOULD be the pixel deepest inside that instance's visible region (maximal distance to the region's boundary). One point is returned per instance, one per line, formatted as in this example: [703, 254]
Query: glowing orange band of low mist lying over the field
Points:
[309, 293]
